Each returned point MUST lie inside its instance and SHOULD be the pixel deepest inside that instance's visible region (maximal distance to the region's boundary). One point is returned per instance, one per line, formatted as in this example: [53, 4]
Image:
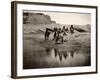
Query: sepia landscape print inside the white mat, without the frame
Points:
[56, 39]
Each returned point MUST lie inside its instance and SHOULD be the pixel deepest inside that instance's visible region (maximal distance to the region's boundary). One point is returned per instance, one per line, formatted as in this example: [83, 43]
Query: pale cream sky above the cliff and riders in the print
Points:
[68, 18]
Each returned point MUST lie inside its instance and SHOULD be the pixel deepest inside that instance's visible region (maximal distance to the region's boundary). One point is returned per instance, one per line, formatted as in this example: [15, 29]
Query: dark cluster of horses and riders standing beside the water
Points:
[59, 33]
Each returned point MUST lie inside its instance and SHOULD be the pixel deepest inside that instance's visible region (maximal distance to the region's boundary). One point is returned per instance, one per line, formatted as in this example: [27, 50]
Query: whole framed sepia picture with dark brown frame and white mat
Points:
[53, 39]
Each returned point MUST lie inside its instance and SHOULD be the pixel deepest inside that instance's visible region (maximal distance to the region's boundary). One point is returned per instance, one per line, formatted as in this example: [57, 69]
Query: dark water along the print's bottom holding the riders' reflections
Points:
[55, 57]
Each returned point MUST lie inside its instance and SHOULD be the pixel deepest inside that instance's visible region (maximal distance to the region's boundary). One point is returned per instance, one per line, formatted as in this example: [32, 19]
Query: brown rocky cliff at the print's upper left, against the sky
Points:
[36, 18]
